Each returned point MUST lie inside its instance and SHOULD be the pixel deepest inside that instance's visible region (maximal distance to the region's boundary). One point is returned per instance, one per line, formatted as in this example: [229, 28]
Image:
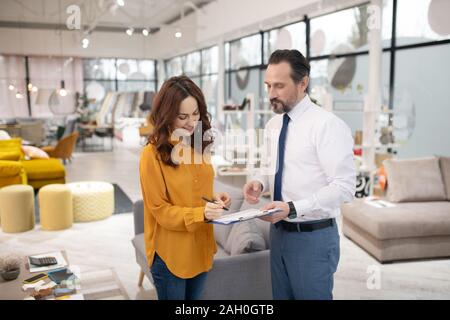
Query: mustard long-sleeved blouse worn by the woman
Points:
[174, 223]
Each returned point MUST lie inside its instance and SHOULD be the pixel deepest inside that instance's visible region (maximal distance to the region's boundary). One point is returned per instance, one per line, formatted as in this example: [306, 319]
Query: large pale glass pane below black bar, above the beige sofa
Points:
[422, 101]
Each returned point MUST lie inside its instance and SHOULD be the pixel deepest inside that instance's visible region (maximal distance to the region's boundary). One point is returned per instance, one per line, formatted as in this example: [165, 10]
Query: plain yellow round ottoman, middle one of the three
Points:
[55, 206]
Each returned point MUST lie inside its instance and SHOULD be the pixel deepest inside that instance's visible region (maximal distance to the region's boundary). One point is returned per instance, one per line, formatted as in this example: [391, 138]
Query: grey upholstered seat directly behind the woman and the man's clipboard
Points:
[233, 277]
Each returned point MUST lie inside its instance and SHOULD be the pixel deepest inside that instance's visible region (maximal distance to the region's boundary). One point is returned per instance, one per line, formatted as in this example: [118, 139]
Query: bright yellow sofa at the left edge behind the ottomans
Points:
[14, 169]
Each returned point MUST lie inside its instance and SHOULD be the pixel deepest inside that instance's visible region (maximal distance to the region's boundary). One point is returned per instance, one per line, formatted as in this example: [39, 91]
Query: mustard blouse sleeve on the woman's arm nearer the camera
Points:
[167, 215]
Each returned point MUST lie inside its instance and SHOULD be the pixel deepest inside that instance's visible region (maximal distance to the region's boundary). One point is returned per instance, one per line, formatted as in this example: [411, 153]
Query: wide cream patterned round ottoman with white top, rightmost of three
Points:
[92, 200]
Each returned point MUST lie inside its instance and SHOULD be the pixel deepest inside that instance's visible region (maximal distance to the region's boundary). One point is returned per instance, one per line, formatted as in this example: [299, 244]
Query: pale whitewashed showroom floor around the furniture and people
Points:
[103, 244]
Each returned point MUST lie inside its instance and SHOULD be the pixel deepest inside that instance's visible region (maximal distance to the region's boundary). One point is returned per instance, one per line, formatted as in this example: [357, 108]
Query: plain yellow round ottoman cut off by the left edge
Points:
[17, 208]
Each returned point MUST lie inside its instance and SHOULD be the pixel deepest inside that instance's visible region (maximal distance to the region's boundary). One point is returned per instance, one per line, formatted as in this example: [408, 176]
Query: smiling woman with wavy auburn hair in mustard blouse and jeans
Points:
[179, 243]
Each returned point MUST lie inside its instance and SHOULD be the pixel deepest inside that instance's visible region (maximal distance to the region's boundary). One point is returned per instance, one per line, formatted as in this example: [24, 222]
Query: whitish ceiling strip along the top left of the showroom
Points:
[104, 13]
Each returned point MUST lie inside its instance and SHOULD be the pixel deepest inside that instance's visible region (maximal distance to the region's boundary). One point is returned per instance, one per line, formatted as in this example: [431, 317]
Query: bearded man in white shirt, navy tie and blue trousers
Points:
[314, 175]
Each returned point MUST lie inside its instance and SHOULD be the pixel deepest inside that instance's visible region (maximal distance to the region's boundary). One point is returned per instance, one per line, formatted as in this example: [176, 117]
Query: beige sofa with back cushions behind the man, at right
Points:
[419, 224]
